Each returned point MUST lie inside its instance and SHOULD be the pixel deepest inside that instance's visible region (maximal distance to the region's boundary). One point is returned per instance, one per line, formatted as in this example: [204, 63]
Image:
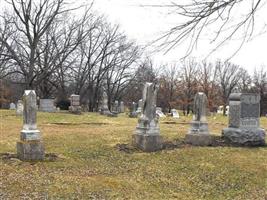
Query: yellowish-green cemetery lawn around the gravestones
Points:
[89, 157]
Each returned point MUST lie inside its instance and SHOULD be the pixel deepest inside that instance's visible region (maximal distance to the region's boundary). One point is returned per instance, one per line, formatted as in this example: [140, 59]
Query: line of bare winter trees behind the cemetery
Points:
[45, 46]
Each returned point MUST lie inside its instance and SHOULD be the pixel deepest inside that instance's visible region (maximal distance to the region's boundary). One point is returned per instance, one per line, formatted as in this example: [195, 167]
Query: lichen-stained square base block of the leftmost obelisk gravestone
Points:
[30, 150]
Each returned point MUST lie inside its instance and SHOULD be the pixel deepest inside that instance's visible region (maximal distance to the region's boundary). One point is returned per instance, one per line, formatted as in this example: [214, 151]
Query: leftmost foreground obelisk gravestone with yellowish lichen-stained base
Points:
[30, 146]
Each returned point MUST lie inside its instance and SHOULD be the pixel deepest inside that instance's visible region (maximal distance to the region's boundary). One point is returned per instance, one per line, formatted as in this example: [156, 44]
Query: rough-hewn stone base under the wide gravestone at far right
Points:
[244, 137]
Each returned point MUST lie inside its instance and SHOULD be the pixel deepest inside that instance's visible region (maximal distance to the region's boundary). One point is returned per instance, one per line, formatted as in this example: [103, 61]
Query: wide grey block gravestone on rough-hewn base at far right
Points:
[244, 120]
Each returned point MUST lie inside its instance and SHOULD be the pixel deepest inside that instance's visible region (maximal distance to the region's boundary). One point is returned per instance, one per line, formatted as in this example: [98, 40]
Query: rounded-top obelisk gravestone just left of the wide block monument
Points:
[198, 133]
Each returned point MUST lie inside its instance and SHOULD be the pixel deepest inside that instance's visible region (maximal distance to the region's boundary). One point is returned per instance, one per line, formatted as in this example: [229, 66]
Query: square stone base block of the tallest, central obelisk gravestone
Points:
[147, 143]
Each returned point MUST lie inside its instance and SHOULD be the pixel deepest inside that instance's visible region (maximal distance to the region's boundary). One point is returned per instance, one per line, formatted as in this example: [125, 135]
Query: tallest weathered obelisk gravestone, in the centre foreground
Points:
[147, 135]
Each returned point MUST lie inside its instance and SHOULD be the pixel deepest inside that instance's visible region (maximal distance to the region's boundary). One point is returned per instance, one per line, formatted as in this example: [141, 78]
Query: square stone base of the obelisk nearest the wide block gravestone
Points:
[198, 139]
